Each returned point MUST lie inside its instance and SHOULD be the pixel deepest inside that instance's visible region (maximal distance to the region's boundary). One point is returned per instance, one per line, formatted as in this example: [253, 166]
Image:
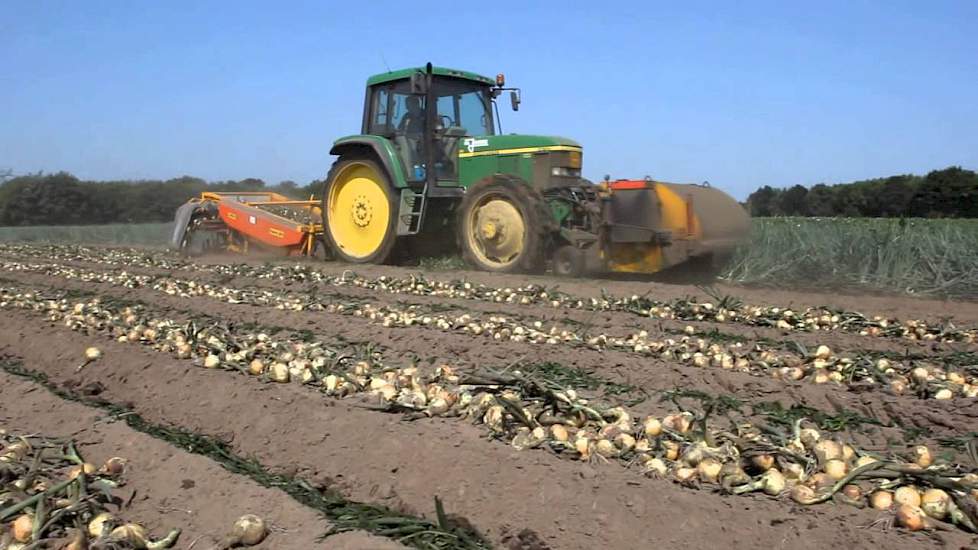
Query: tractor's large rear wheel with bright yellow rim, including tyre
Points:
[359, 212]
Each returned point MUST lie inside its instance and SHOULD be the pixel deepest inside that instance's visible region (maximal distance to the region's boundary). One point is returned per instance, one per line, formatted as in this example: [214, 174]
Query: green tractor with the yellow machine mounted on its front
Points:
[431, 165]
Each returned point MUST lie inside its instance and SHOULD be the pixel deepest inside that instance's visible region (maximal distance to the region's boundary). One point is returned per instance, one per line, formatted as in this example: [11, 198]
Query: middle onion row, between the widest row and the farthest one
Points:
[927, 379]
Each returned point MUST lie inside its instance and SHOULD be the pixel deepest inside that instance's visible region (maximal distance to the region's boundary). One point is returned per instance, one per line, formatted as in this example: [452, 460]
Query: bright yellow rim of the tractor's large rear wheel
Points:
[358, 211]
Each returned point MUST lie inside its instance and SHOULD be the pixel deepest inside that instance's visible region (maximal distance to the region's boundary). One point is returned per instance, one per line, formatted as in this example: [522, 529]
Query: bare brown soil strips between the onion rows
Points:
[528, 499]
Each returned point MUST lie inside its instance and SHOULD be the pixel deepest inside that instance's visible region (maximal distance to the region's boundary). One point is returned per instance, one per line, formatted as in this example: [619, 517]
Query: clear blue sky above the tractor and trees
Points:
[738, 93]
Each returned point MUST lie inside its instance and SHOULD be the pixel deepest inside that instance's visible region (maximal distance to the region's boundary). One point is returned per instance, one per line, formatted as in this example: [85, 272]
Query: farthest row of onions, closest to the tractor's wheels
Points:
[688, 309]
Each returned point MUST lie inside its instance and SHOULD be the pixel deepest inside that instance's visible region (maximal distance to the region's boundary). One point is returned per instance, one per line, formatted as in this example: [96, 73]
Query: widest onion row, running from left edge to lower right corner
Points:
[921, 490]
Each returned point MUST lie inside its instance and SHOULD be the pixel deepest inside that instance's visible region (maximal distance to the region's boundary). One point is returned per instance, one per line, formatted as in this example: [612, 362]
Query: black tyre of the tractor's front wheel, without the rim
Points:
[537, 220]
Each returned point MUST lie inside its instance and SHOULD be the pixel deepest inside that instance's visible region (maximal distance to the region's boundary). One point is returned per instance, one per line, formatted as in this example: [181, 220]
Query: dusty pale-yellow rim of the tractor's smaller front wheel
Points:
[495, 231]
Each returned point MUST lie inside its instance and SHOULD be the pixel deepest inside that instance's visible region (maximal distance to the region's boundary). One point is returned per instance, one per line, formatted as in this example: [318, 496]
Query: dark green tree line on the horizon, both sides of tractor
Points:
[63, 199]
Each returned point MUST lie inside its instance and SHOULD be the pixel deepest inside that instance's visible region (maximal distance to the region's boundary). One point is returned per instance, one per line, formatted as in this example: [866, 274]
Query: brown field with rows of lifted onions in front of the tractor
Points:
[390, 408]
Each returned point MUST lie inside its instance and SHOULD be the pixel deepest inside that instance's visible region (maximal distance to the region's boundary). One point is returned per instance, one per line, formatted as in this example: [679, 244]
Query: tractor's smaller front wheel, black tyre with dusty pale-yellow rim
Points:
[503, 225]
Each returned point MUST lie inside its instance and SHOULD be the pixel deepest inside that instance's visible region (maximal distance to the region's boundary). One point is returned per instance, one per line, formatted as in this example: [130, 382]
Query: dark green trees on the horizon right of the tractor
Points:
[948, 193]
